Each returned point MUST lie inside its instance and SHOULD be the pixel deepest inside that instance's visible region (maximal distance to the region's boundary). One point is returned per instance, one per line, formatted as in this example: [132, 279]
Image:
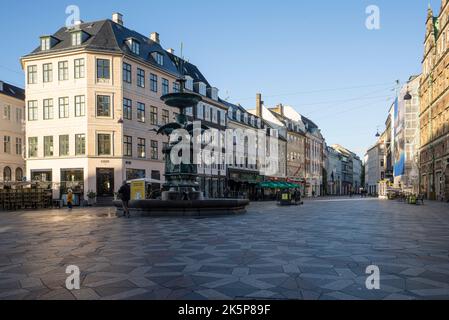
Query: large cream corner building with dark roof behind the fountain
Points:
[93, 105]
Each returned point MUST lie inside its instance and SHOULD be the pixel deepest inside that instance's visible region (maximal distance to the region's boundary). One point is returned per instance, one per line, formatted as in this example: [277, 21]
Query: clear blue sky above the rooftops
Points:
[314, 55]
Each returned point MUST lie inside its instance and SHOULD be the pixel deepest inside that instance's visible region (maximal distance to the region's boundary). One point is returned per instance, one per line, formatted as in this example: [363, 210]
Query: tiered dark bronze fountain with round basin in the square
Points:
[183, 196]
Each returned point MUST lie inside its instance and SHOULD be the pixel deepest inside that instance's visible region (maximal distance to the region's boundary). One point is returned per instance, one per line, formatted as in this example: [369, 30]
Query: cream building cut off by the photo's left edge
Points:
[12, 133]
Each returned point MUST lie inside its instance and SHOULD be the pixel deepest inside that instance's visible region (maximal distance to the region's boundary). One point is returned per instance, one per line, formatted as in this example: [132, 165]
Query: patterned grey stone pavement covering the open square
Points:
[317, 251]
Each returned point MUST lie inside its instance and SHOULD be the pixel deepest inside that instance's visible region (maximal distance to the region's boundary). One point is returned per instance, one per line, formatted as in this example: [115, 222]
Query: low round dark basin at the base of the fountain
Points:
[191, 208]
